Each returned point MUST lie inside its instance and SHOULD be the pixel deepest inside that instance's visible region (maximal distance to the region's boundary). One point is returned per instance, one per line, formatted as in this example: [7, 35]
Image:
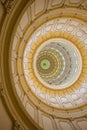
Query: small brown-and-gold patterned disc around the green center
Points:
[48, 63]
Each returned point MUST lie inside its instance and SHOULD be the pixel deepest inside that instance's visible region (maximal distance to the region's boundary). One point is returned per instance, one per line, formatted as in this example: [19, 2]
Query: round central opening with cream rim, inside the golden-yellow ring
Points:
[59, 54]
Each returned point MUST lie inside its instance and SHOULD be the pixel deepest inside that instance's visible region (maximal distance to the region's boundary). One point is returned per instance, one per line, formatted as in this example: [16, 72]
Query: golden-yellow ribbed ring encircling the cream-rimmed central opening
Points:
[82, 51]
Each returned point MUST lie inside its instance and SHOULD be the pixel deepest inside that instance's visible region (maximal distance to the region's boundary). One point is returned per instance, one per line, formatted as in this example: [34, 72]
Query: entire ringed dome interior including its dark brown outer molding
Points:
[46, 60]
